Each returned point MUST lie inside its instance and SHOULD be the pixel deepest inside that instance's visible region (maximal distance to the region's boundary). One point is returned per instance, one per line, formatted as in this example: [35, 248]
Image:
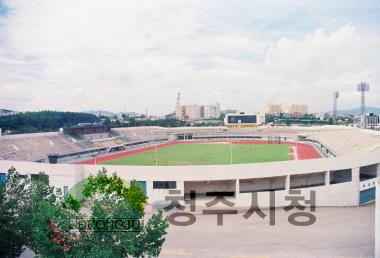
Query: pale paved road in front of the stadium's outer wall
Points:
[338, 232]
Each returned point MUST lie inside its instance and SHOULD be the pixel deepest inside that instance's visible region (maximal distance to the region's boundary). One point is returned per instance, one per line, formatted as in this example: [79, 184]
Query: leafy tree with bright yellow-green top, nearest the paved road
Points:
[113, 199]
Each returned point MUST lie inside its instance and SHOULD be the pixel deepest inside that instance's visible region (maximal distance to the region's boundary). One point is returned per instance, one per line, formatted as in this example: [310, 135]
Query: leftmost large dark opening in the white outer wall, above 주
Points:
[210, 189]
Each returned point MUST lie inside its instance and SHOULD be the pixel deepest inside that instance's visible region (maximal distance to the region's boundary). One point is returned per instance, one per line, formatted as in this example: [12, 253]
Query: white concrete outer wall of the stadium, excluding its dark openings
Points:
[341, 194]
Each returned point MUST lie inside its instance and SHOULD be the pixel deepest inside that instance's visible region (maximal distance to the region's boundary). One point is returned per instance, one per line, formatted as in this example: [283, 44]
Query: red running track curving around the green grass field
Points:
[304, 151]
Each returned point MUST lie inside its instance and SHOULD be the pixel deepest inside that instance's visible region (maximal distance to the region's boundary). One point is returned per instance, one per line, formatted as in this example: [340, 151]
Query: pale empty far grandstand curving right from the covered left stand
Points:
[341, 140]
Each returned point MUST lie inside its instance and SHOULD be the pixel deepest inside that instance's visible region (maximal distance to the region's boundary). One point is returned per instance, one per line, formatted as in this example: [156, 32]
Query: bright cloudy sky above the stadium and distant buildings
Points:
[120, 55]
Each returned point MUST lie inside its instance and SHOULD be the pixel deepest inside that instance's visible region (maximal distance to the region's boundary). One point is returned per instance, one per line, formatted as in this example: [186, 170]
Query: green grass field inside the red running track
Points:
[207, 154]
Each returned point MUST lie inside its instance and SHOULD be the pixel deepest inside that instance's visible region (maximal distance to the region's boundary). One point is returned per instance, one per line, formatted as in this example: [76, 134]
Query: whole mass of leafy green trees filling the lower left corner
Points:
[37, 215]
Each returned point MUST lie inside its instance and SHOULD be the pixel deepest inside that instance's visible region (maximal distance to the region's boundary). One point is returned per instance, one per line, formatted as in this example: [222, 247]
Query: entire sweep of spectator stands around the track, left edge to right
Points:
[340, 141]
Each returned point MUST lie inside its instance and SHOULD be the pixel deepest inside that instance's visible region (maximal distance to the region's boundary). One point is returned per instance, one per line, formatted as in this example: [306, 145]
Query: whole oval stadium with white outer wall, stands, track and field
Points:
[339, 164]
